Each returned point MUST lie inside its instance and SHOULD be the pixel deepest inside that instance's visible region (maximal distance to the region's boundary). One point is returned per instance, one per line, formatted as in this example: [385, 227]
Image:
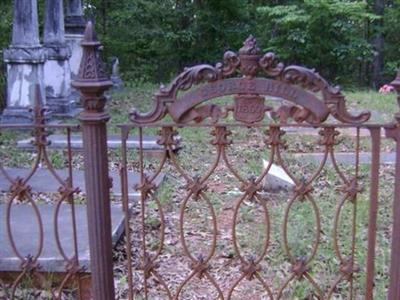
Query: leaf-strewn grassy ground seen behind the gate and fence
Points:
[245, 154]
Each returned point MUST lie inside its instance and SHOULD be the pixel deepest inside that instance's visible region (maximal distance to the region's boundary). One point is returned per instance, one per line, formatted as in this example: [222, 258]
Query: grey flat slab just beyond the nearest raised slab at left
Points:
[44, 182]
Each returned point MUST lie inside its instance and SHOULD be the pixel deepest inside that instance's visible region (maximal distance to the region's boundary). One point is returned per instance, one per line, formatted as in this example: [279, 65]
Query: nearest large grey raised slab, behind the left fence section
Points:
[26, 234]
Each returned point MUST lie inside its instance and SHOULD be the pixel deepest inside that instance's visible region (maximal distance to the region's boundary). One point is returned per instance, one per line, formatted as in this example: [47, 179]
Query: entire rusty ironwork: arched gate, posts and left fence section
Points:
[251, 78]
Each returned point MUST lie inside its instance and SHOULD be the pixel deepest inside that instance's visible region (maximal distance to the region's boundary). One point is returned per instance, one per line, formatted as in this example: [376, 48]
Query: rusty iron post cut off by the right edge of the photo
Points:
[394, 133]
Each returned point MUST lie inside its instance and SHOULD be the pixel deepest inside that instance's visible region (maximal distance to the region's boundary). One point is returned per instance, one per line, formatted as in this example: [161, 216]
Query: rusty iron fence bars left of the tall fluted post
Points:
[20, 191]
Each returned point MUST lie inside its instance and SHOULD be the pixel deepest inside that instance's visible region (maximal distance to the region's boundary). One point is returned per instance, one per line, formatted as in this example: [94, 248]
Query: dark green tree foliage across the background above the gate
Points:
[156, 39]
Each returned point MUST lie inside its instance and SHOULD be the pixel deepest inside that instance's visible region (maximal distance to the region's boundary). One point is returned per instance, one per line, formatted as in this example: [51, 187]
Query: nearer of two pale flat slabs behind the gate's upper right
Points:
[348, 157]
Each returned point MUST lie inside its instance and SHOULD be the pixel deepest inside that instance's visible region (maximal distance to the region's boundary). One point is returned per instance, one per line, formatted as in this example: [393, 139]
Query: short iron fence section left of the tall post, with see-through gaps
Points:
[38, 259]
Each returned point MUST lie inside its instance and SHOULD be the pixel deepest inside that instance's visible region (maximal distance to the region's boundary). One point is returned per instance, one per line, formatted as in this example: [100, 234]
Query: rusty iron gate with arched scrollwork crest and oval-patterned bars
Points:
[251, 77]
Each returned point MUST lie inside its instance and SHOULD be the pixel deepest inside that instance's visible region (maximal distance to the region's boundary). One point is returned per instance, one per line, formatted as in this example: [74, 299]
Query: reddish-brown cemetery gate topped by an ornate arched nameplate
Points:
[310, 102]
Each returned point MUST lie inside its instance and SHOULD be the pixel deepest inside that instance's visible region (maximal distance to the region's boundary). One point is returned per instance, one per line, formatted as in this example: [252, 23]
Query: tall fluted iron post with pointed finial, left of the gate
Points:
[92, 82]
